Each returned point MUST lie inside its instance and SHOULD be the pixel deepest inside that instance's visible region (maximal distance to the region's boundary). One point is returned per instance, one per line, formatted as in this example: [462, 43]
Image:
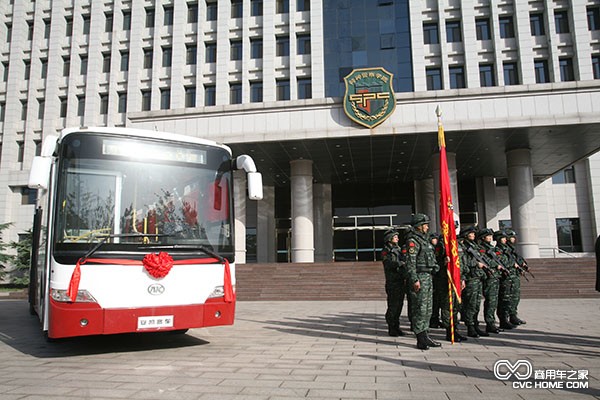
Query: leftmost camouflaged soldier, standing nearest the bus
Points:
[395, 281]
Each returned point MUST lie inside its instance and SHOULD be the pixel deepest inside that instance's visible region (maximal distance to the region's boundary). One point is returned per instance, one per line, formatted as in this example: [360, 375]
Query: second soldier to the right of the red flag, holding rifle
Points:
[491, 283]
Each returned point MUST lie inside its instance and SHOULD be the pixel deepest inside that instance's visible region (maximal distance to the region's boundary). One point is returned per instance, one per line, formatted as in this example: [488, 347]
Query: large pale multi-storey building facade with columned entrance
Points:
[518, 84]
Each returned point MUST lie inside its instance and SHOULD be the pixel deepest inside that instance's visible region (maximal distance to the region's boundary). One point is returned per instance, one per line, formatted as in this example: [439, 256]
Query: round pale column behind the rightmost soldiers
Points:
[522, 201]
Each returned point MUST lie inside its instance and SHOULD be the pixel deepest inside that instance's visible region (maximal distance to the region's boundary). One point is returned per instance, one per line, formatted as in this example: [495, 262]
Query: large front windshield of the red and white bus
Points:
[136, 194]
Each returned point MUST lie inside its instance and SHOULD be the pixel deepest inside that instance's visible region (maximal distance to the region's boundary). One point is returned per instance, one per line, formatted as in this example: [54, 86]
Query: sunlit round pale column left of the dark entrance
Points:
[303, 247]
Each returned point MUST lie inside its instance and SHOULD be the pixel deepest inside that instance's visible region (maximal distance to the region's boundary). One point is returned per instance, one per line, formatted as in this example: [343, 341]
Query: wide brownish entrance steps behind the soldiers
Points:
[554, 278]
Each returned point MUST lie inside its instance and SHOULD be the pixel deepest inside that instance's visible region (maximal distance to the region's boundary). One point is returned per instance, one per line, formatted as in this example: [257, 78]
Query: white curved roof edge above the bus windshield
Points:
[143, 133]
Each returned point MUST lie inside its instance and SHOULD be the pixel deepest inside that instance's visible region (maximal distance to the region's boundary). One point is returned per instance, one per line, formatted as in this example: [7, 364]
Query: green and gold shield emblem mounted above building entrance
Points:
[369, 98]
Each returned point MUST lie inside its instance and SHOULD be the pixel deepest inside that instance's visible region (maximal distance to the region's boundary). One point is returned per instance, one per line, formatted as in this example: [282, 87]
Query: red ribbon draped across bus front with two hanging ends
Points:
[229, 295]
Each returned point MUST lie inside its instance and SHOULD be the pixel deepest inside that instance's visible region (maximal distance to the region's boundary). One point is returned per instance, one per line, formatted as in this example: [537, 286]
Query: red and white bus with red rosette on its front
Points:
[133, 232]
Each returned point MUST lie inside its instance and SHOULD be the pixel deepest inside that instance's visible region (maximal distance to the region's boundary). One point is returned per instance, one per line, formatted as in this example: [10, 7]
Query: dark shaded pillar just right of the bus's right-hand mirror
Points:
[265, 227]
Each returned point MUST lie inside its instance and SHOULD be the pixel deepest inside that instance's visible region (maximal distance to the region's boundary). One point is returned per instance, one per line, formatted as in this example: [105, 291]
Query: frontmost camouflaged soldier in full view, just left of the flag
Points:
[421, 264]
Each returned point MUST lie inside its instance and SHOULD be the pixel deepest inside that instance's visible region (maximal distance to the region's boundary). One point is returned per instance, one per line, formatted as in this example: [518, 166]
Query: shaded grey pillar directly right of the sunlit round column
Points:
[323, 212]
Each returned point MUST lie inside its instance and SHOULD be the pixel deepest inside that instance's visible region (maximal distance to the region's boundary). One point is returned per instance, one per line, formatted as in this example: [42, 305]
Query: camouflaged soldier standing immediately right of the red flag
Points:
[474, 275]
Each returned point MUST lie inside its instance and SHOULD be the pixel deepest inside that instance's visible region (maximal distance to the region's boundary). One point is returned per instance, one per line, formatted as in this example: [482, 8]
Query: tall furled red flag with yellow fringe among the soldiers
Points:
[447, 217]
